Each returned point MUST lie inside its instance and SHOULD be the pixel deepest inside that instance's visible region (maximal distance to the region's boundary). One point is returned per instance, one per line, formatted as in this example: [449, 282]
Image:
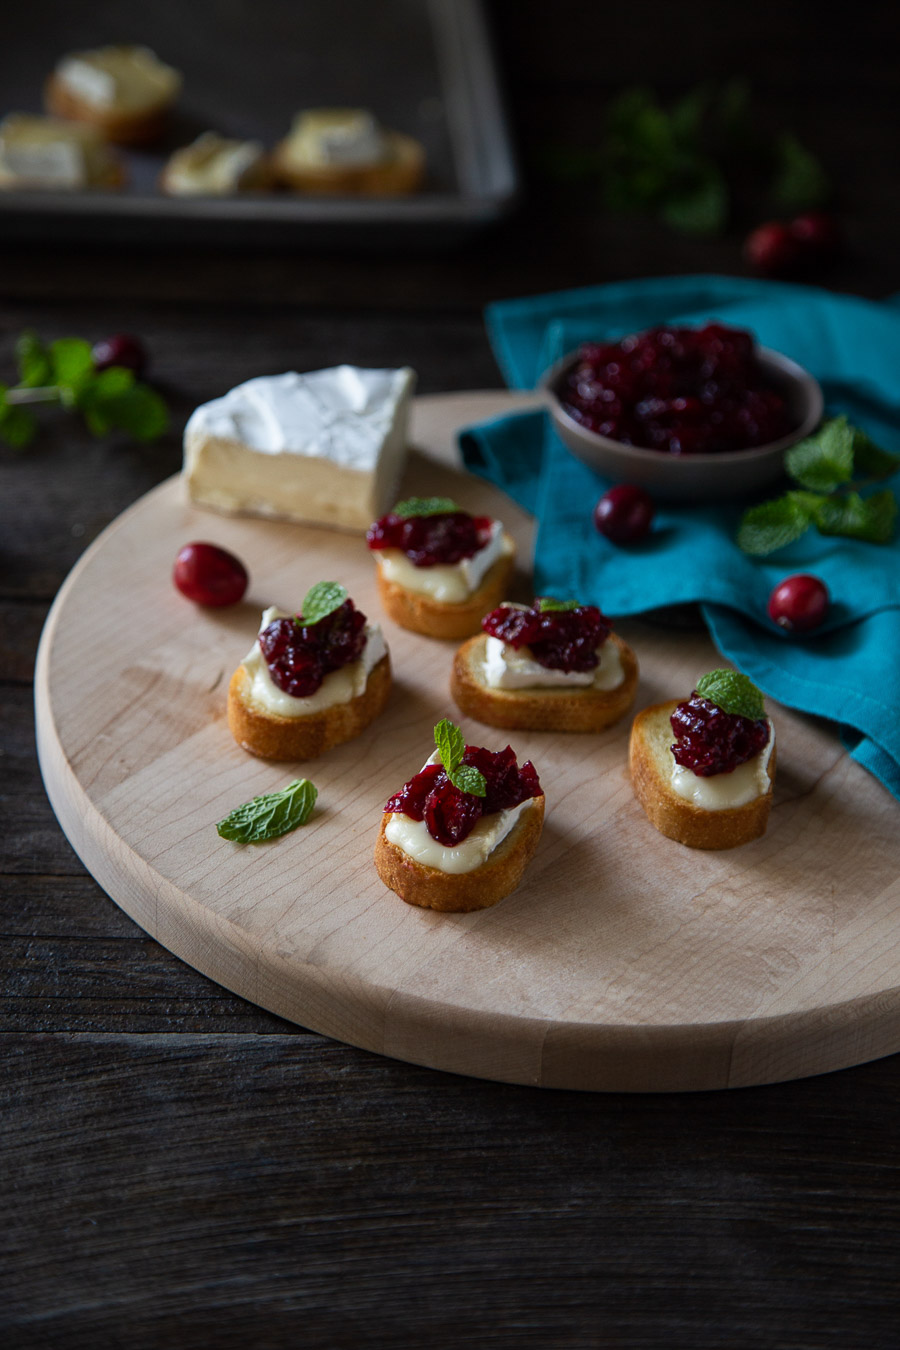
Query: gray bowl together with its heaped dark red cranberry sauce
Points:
[689, 414]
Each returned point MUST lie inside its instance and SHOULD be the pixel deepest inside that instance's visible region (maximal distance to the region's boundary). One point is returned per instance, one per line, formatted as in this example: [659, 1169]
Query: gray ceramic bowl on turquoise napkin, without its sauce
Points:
[736, 473]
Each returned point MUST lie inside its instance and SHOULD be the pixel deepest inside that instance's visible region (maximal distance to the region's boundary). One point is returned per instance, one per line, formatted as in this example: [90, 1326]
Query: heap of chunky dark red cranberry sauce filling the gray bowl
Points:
[682, 391]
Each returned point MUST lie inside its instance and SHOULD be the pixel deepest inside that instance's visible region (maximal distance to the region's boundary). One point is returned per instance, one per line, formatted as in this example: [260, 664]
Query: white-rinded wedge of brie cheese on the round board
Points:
[327, 448]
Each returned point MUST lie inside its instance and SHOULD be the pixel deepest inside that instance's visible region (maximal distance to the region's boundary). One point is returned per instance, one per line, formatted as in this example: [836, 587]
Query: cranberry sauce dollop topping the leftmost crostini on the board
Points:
[300, 655]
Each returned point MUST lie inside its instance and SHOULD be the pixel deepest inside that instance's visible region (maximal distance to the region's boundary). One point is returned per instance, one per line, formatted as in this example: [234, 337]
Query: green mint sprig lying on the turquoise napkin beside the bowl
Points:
[831, 468]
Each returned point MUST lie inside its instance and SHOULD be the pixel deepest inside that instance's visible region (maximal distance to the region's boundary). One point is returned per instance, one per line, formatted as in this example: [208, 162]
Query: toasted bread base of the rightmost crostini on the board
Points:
[651, 765]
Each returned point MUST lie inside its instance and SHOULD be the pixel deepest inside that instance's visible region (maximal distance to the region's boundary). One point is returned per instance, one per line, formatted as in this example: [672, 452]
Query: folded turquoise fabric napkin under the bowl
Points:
[849, 670]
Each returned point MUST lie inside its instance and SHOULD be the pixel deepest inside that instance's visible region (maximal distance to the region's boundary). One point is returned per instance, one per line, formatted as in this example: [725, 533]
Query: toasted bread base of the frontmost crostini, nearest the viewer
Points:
[489, 884]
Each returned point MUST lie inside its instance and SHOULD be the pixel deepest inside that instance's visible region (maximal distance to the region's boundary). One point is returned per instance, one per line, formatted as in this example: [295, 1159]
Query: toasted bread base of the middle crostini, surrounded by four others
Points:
[582, 709]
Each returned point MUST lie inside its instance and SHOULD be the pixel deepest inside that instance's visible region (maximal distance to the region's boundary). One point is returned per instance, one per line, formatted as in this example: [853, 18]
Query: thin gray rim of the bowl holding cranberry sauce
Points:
[786, 367]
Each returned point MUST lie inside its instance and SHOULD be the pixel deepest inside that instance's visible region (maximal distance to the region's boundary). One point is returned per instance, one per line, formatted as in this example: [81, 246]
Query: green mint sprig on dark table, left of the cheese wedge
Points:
[64, 373]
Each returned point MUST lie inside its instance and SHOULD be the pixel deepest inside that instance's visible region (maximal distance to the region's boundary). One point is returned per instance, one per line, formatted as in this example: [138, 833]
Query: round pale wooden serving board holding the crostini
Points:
[624, 962]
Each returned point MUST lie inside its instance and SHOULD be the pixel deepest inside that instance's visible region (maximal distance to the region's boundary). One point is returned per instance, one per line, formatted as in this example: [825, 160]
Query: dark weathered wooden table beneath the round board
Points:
[184, 1170]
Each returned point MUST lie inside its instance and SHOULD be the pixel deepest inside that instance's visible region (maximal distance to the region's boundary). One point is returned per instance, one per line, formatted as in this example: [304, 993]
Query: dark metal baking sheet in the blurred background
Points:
[423, 67]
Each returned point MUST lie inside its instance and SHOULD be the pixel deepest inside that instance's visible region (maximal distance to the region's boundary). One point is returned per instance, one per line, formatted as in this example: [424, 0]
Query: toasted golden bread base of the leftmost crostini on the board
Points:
[276, 738]
